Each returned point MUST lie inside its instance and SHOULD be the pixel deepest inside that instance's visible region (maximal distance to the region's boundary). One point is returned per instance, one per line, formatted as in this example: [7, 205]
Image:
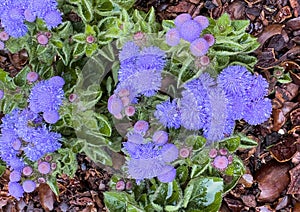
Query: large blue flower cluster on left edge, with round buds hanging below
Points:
[24, 135]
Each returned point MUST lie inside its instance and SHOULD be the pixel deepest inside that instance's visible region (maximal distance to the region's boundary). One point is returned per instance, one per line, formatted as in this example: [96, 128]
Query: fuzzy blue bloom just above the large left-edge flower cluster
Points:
[46, 96]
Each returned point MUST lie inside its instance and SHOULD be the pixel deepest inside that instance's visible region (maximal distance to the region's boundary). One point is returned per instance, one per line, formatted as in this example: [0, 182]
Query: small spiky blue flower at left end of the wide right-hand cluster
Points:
[168, 114]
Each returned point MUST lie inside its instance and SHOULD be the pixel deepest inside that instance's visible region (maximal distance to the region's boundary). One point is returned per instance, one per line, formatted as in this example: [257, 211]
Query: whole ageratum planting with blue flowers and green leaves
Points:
[106, 80]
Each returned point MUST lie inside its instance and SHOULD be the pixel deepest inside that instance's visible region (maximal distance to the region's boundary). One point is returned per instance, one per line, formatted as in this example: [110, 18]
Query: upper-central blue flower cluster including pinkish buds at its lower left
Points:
[139, 74]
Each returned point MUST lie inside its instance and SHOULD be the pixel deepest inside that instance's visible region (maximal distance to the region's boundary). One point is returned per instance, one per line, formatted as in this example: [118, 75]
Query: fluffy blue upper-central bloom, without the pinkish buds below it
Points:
[141, 69]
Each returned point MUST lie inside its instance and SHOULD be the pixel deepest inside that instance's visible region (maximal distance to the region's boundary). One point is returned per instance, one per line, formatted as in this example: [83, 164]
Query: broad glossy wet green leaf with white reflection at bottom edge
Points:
[203, 194]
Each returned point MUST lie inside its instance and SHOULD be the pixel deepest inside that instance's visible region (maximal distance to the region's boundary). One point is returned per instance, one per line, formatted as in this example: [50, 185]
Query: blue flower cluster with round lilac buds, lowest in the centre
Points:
[150, 157]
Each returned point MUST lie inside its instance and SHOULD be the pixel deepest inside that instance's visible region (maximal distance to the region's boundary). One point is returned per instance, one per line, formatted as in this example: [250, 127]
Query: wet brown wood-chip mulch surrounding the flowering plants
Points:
[271, 182]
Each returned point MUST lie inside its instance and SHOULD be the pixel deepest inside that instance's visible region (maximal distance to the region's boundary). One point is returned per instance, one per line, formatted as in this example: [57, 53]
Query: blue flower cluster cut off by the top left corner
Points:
[14, 13]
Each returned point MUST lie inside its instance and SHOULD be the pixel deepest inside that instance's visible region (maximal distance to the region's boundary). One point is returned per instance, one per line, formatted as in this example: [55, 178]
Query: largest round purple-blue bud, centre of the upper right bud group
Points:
[190, 30]
